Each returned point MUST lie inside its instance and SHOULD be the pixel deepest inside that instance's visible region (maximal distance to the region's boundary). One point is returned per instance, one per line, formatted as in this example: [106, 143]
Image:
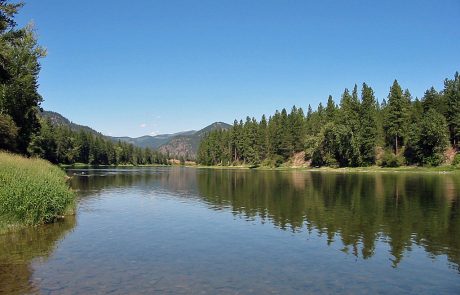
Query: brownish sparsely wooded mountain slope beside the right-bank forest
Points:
[186, 145]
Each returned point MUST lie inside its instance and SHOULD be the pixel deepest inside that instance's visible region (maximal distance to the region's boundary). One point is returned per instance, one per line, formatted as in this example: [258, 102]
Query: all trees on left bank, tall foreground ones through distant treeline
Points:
[23, 131]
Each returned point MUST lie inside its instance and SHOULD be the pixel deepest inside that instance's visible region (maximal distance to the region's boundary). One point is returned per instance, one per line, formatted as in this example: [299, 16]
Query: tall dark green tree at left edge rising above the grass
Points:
[19, 68]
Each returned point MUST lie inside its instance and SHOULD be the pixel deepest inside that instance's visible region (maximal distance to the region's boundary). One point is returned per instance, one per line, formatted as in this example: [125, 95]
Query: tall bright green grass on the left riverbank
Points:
[32, 192]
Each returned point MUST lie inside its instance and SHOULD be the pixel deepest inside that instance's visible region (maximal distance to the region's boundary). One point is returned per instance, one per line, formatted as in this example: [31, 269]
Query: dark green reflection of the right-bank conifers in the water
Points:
[359, 208]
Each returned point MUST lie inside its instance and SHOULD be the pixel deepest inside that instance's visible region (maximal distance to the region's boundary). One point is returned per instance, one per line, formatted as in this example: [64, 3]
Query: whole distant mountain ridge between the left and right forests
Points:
[181, 144]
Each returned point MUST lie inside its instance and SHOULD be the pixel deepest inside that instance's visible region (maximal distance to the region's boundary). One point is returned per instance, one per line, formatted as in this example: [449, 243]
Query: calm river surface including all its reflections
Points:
[199, 231]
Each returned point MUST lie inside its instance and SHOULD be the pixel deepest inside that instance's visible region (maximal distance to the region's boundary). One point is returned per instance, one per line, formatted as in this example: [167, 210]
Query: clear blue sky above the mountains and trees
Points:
[140, 67]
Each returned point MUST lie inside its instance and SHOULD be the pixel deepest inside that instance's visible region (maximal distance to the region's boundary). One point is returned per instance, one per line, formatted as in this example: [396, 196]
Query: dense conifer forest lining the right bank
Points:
[359, 131]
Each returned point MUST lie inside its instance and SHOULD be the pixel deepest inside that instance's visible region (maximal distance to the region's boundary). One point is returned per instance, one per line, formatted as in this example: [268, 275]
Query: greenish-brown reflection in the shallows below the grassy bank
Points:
[19, 249]
